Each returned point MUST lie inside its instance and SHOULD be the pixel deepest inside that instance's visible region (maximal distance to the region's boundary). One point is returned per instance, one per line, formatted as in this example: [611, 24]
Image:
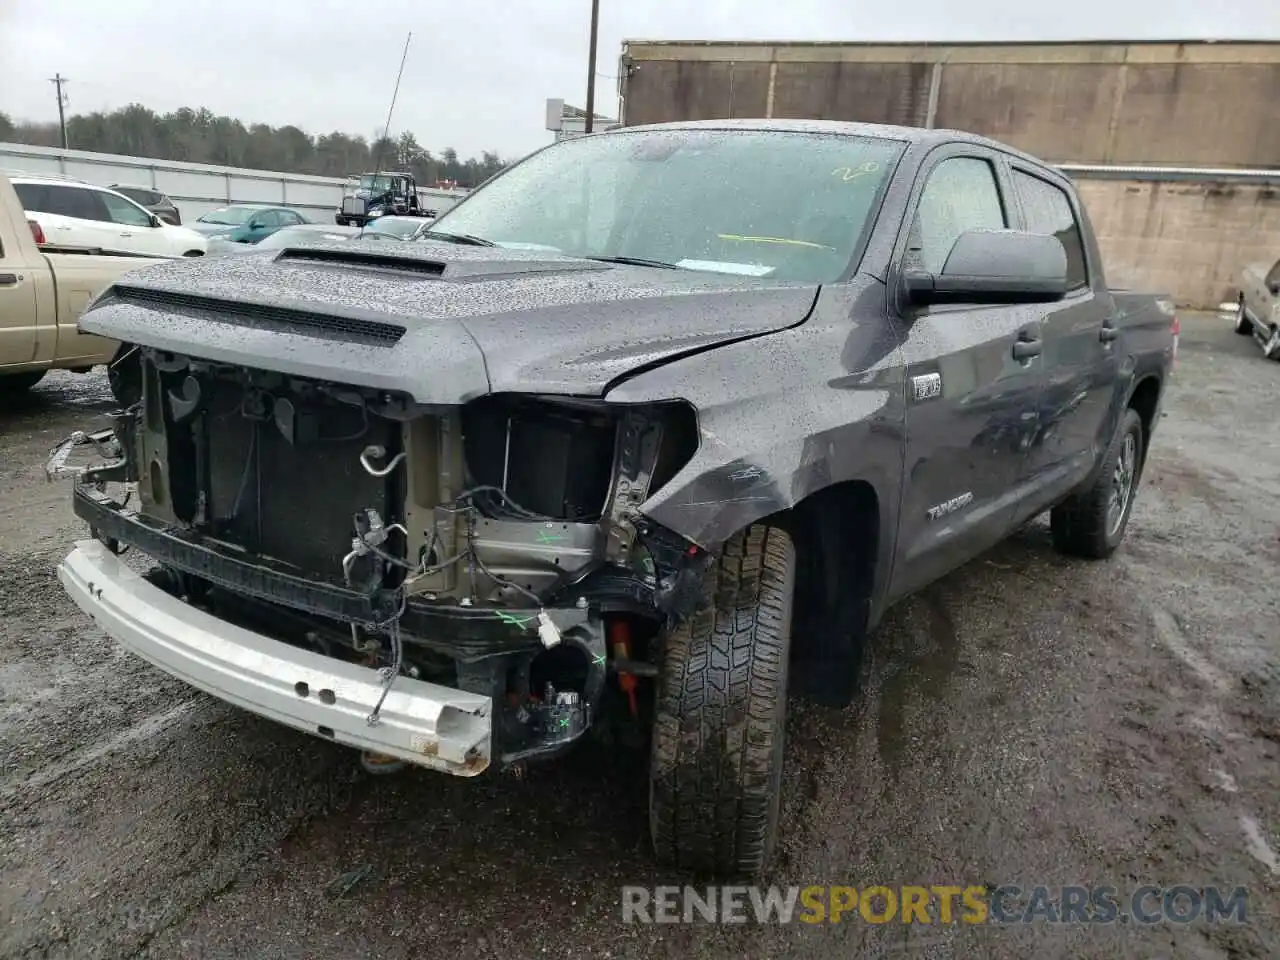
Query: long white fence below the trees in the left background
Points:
[198, 189]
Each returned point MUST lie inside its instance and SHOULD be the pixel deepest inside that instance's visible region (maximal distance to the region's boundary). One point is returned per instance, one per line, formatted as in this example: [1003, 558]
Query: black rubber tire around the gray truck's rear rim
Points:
[1080, 524]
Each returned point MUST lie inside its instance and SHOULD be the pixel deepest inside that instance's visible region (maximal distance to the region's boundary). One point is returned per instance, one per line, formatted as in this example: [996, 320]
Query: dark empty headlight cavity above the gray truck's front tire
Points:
[556, 458]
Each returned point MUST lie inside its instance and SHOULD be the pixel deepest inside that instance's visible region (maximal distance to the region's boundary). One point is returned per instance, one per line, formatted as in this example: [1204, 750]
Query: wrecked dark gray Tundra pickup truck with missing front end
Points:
[642, 437]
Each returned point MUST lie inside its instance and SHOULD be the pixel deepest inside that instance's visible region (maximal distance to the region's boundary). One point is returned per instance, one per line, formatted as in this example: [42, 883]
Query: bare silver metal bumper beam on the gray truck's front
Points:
[423, 724]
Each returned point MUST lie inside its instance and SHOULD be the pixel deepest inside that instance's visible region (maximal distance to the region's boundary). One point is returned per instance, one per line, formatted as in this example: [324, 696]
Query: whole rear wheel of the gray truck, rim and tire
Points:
[1092, 523]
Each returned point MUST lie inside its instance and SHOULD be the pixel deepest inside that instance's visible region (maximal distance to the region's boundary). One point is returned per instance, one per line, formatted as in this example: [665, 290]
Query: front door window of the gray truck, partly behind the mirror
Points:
[961, 195]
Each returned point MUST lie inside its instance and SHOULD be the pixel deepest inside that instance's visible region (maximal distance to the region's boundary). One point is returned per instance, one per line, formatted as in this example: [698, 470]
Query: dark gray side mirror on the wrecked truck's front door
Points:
[995, 267]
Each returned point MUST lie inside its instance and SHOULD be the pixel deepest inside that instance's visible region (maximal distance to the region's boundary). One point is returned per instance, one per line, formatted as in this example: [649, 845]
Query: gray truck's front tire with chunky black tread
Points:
[720, 719]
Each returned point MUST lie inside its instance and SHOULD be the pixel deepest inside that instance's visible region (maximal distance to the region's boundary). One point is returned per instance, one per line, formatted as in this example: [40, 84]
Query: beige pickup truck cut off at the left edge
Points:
[43, 294]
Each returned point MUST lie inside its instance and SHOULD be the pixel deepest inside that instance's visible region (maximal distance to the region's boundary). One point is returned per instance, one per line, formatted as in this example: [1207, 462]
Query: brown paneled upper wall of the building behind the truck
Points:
[1188, 103]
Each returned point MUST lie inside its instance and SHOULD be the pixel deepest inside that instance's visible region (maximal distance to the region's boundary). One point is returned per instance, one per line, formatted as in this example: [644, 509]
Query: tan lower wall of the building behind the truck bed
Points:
[1190, 240]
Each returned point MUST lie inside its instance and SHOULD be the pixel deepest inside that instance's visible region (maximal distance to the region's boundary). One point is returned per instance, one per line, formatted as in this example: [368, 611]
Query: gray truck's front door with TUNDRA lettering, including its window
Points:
[973, 380]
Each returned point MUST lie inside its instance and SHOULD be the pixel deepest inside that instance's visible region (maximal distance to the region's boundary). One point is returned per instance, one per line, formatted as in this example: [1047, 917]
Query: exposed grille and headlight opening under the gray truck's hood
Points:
[285, 470]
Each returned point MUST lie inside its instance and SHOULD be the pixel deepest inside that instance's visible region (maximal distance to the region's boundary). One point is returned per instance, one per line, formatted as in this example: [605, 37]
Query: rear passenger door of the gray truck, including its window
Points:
[1081, 364]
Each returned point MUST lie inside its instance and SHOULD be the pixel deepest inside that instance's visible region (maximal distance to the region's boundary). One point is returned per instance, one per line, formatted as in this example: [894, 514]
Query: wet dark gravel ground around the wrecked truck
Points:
[1027, 720]
